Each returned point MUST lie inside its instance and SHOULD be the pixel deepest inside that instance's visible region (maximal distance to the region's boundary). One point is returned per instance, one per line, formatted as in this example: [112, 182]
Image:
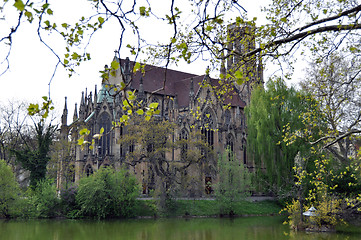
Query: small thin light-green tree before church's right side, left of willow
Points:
[234, 182]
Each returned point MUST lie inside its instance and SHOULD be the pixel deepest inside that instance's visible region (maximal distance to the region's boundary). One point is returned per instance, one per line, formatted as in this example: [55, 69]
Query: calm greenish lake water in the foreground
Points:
[248, 228]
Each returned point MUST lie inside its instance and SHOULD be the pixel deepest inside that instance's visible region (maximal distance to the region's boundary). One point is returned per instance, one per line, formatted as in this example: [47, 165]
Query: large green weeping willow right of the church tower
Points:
[275, 117]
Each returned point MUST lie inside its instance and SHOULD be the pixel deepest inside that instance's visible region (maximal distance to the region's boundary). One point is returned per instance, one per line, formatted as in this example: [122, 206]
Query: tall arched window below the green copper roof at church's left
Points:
[104, 141]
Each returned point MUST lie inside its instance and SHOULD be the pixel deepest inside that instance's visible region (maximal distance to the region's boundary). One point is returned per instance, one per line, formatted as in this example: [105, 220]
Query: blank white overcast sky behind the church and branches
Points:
[32, 64]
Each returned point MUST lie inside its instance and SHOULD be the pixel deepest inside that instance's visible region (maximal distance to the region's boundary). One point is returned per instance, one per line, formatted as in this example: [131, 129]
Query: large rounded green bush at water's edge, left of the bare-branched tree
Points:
[107, 193]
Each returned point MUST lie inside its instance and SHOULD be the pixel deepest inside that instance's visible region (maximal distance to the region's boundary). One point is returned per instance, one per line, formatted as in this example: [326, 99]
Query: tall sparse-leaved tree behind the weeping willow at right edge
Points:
[335, 84]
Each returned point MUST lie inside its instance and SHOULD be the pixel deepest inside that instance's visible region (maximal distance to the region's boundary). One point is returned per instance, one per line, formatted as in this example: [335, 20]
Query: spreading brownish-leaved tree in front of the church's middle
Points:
[172, 161]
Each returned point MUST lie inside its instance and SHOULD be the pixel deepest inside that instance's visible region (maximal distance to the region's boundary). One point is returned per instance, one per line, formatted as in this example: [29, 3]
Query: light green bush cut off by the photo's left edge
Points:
[9, 191]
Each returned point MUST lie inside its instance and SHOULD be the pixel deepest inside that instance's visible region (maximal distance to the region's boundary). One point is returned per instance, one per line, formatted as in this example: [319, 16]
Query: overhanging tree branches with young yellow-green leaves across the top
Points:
[196, 29]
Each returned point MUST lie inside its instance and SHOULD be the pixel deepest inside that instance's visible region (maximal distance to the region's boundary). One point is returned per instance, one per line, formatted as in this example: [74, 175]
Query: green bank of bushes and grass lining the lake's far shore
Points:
[110, 194]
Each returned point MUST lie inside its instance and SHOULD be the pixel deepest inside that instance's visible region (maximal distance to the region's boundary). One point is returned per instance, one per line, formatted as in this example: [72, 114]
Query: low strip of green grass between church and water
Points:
[205, 208]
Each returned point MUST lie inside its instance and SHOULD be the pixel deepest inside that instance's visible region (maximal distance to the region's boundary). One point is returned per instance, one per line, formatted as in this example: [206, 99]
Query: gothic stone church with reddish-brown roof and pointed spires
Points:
[178, 95]
